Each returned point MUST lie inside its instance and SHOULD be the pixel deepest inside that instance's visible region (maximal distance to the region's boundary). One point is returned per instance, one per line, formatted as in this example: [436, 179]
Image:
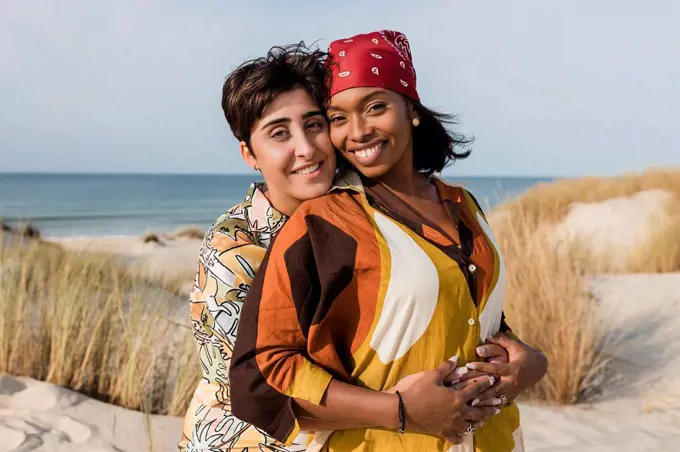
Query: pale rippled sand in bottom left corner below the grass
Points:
[38, 416]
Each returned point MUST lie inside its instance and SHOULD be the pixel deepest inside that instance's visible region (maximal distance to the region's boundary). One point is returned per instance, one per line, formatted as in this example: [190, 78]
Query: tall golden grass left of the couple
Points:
[86, 323]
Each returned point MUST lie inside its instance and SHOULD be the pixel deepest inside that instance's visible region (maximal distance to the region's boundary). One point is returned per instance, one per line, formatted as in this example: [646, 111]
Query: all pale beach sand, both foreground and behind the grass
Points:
[636, 409]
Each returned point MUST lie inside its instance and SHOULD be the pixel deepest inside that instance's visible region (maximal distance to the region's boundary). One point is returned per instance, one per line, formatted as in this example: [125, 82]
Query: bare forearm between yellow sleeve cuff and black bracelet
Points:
[345, 406]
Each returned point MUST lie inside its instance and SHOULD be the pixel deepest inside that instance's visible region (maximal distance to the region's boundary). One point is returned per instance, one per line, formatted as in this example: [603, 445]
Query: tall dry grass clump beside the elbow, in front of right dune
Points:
[548, 306]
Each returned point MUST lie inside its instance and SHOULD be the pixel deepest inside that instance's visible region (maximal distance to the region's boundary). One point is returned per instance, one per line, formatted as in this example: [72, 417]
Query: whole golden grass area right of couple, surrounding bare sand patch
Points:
[547, 300]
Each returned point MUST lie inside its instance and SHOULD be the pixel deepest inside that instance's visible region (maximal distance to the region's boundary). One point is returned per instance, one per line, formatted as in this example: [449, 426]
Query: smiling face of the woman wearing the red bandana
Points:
[371, 127]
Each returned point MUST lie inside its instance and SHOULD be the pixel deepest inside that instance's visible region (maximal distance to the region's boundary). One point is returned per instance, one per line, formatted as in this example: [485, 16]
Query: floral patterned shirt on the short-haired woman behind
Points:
[229, 258]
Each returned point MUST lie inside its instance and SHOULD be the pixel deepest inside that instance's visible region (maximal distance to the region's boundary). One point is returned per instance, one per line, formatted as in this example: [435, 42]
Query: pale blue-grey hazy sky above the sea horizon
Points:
[547, 88]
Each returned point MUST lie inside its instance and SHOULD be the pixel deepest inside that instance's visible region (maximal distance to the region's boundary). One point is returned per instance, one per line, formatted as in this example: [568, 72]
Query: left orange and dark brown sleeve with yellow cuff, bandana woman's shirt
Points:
[271, 364]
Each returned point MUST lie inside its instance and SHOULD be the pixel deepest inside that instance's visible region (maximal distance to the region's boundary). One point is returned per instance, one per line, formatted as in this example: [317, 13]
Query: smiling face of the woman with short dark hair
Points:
[292, 148]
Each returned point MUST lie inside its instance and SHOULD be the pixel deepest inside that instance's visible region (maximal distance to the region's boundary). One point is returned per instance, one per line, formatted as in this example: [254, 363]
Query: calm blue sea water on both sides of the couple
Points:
[117, 204]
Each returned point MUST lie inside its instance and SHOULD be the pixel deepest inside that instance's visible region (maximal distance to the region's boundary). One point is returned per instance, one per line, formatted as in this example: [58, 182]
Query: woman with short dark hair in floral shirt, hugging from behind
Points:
[274, 108]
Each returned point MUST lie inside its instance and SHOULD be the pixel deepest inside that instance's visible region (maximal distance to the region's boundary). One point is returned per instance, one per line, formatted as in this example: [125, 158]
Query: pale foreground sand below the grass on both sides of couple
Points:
[640, 413]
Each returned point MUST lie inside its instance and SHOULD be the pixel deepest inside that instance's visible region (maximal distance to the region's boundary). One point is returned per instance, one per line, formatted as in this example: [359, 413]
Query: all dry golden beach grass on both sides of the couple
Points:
[87, 322]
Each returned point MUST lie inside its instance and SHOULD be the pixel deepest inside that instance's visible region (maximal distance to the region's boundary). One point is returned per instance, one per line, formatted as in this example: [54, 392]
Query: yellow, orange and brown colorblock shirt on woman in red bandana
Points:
[358, 287]
